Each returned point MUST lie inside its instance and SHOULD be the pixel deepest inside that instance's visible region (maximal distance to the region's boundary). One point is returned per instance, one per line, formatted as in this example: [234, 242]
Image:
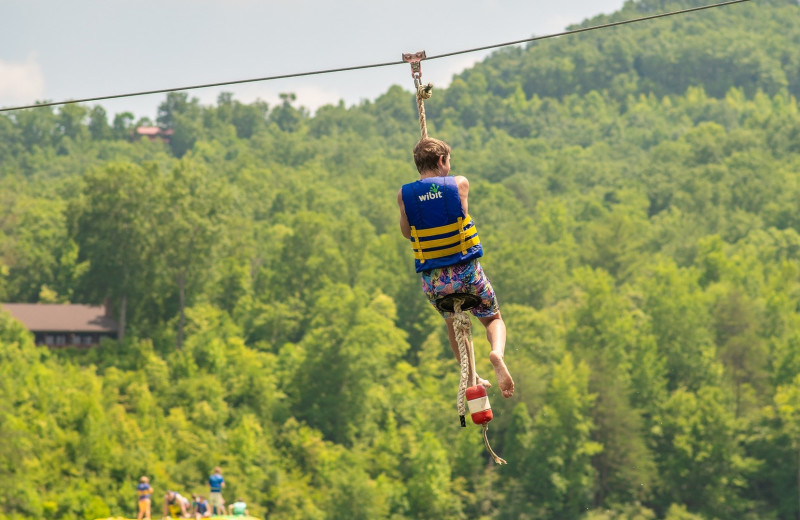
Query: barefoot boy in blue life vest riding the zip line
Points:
[434, 216]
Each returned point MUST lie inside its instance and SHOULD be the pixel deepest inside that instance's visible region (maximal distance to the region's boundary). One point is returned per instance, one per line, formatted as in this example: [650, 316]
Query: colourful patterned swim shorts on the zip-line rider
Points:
[464, 278]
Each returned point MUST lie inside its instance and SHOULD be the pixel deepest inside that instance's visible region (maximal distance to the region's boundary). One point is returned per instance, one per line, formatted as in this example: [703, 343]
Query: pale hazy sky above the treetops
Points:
[57, 50]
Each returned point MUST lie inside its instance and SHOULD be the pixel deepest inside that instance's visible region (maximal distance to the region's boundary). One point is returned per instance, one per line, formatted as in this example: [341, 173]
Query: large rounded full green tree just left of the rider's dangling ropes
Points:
[339, 379]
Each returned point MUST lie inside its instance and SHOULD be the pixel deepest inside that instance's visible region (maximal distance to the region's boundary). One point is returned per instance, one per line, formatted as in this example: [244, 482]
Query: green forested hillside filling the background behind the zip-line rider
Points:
[637, 193]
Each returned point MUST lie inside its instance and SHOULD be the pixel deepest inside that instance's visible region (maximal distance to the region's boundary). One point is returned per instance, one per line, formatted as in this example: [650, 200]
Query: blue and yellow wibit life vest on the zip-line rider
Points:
[441, 234]
